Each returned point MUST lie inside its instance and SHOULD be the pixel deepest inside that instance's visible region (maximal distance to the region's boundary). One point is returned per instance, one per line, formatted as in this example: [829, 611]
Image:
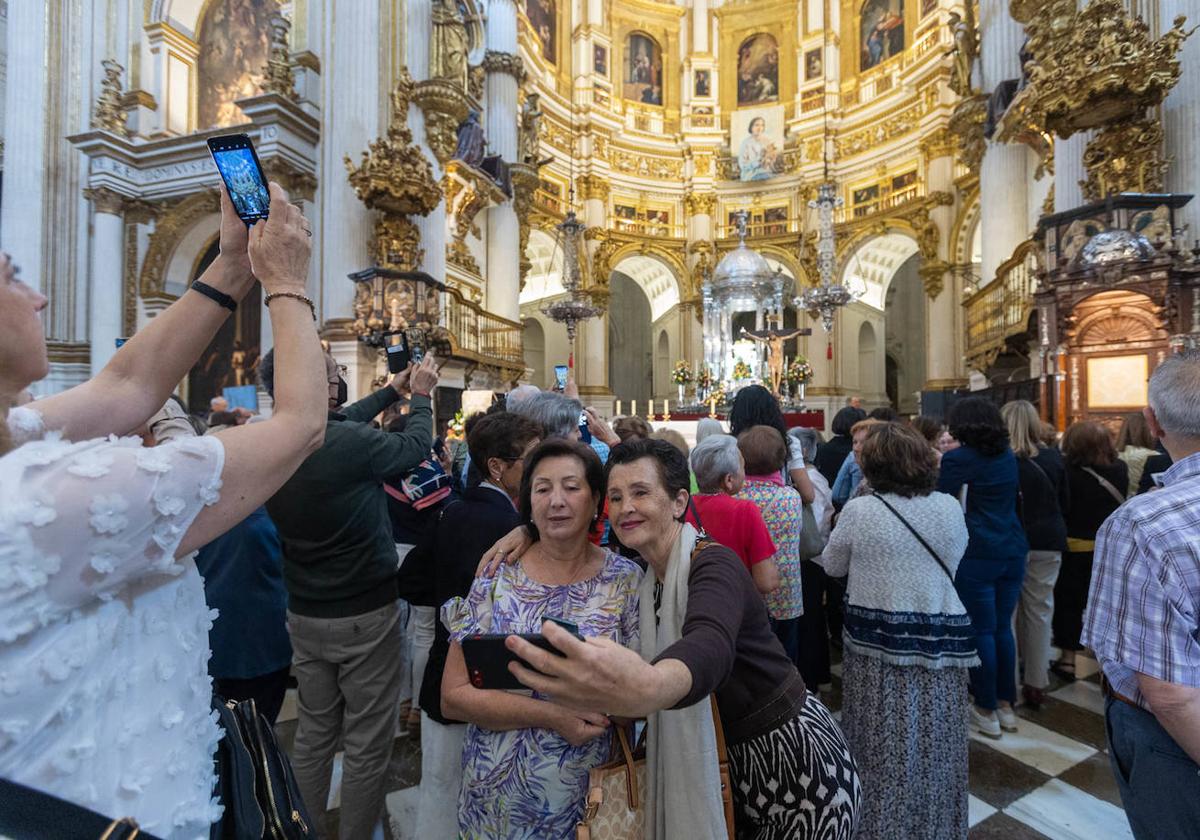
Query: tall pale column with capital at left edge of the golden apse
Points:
[503, 67]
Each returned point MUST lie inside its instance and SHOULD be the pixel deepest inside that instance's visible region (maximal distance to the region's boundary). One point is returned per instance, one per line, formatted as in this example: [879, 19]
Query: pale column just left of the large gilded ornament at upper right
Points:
[1005, 173]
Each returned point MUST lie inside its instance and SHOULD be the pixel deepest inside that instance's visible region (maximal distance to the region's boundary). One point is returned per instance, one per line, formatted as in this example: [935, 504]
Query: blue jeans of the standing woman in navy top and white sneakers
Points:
[991, 590]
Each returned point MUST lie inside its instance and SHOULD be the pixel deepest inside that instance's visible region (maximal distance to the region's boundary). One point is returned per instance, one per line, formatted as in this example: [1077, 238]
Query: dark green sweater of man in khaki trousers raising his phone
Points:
[339, 556]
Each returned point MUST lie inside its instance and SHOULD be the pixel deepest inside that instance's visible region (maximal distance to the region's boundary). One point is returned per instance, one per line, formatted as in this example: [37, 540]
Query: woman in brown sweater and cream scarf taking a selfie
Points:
[793, 773]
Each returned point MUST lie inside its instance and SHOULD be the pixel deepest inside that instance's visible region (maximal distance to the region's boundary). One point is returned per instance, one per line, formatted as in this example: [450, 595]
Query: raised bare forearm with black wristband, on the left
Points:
[148, 369]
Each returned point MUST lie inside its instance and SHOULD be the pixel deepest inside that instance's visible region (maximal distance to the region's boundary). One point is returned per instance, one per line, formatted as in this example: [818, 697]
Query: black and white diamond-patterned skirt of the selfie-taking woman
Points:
[796, 782]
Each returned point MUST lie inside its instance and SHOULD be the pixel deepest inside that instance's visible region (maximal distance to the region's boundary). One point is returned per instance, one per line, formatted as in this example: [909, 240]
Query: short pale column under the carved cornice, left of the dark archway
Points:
[106, 310]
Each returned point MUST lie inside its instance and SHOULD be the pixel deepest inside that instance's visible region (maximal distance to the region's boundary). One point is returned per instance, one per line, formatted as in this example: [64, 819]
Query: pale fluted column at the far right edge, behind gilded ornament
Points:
[1181, 119]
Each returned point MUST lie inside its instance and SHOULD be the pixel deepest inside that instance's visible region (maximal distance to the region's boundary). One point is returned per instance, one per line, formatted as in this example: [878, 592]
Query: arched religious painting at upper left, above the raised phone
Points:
[235, 39]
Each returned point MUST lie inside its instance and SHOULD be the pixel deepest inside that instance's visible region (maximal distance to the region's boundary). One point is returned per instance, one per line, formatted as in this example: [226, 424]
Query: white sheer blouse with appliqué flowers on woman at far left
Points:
[105, 695]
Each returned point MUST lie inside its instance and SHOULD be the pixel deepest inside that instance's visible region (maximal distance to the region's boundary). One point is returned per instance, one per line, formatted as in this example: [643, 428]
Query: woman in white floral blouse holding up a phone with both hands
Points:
[104, 628]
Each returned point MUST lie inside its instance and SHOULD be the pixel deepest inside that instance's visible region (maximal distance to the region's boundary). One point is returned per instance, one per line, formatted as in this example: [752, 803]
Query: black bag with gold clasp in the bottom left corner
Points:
[27, 814]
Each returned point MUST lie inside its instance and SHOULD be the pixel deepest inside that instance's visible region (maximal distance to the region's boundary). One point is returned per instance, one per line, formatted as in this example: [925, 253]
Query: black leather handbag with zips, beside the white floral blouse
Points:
[256, 782]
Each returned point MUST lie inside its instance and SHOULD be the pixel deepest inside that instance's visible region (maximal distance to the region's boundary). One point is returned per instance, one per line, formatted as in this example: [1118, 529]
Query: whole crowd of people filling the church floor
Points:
[691, 598]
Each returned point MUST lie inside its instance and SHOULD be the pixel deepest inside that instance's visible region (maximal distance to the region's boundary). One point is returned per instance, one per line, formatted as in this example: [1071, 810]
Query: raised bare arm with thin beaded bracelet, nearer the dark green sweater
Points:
[260, 458]
